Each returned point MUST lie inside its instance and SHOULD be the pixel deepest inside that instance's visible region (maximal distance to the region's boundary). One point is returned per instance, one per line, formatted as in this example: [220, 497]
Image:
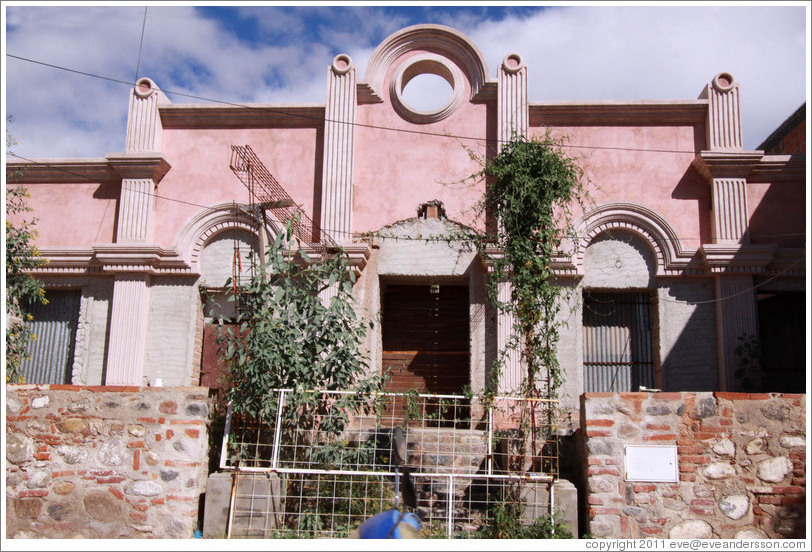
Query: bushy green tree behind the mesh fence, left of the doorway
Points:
[289, 338]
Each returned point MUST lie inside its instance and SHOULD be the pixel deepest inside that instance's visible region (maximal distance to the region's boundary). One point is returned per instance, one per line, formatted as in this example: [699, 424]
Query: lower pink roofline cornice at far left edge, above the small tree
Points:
[47, 171]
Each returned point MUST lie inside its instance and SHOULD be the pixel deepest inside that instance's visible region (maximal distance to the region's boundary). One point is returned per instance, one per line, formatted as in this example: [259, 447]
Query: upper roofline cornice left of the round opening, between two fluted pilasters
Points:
[247, 116]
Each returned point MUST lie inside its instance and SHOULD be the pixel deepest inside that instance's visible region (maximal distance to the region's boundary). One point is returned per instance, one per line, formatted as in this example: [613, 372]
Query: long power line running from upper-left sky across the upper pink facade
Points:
[280, 111]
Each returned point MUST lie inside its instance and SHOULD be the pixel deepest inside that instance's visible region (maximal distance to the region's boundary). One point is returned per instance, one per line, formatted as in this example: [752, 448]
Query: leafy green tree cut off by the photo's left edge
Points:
[21, 288]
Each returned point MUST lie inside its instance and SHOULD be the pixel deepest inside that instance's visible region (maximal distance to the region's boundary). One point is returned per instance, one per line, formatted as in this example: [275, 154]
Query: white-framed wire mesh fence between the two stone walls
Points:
[320, 470]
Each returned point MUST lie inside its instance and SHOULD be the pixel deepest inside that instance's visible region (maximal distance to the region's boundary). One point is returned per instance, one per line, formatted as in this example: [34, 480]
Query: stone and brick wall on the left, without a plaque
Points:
[104, 462]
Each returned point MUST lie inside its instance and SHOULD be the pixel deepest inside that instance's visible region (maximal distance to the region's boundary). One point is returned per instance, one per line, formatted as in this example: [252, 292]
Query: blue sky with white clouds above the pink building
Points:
[279, 54]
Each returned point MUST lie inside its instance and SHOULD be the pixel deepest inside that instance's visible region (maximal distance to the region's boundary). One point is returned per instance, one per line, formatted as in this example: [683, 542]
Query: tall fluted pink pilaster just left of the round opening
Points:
[339, 150]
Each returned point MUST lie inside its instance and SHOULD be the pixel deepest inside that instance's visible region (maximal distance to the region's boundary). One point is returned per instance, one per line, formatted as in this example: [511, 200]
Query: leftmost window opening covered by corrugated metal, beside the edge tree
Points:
[54, 326]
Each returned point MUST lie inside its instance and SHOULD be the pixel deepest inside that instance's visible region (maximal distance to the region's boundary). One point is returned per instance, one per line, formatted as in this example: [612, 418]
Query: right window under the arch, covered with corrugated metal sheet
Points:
[618, 342]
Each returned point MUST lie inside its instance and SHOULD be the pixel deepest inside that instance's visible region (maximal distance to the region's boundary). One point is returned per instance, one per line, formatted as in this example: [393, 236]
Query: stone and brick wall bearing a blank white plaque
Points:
[740, 460]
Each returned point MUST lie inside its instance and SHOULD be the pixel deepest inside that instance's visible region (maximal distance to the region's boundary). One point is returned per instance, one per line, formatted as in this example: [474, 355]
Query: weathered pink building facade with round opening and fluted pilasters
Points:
[685, 234]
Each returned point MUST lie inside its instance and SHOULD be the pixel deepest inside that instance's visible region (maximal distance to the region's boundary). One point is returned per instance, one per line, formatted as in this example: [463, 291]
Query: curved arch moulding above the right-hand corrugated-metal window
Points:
[655, 230]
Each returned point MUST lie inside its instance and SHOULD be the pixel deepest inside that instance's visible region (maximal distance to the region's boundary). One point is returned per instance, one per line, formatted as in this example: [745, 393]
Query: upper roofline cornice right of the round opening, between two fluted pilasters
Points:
[606, 113]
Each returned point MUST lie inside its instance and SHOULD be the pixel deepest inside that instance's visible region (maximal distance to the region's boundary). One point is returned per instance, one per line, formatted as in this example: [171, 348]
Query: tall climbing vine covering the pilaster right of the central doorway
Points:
[532, 186]
